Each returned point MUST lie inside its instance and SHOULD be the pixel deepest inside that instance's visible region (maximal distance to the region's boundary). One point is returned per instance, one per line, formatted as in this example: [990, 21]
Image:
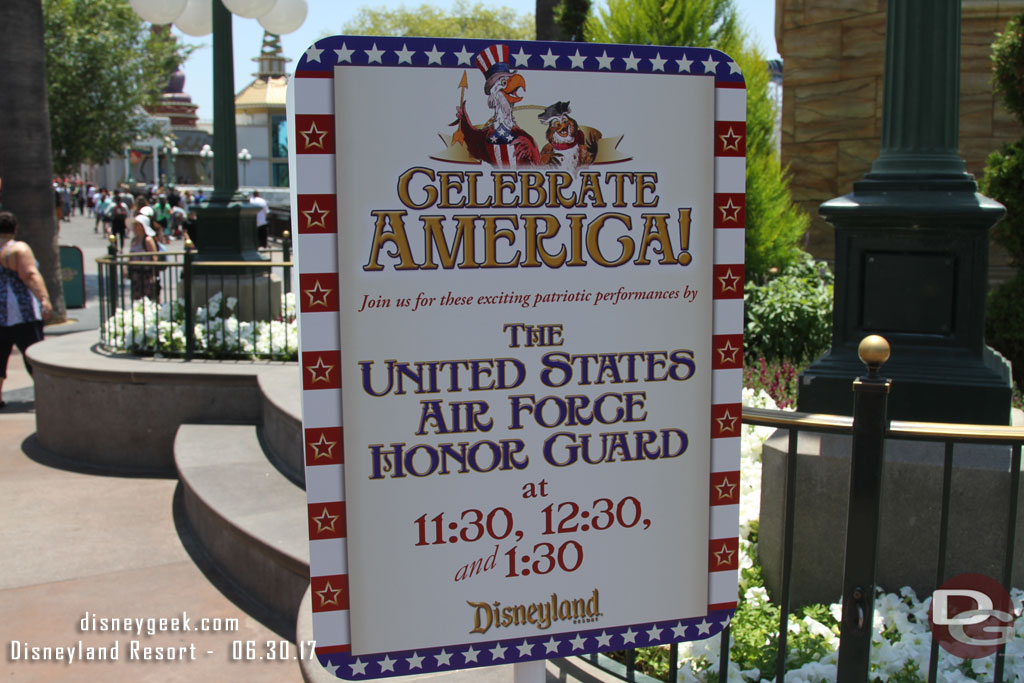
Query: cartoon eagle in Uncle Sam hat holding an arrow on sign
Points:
[501, 143]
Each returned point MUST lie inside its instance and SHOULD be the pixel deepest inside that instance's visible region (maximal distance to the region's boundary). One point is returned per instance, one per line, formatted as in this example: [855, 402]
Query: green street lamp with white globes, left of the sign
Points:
[228, 222]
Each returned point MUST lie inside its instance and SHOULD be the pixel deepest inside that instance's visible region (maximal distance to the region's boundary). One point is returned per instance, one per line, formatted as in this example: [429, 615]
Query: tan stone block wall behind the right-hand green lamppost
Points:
[834, 53]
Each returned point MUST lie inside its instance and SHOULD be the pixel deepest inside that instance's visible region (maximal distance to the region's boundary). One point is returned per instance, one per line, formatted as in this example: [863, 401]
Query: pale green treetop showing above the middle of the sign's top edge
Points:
[463, 21]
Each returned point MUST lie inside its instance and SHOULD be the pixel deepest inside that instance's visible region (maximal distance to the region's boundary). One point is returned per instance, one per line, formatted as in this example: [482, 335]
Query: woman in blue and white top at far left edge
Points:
[24, 301]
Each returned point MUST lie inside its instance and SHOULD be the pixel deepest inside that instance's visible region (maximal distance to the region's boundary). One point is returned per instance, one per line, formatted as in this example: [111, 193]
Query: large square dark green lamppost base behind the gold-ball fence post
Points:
[912, 265]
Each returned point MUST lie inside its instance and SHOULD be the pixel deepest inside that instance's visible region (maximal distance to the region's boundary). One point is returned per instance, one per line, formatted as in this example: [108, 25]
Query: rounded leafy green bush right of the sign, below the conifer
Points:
[790, 317]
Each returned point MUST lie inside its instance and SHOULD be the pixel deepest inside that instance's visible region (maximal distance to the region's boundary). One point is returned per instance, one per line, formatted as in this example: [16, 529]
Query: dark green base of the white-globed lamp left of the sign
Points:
[227, 232]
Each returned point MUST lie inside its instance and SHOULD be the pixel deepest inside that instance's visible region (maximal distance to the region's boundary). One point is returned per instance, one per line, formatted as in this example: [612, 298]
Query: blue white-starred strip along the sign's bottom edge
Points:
[386, 665]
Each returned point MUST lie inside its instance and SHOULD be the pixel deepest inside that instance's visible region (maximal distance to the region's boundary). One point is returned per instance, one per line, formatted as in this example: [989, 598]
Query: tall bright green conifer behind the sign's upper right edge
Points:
[775, 225]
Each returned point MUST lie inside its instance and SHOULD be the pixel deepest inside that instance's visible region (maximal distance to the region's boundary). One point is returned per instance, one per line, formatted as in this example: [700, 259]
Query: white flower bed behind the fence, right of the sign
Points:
[902, 642]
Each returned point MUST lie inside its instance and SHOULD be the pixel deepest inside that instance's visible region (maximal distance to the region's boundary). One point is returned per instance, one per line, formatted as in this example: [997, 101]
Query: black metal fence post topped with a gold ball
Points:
[870, 426]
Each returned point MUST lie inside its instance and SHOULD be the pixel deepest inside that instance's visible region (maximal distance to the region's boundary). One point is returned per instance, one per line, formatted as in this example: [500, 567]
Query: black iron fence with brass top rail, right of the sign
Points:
[869, 435]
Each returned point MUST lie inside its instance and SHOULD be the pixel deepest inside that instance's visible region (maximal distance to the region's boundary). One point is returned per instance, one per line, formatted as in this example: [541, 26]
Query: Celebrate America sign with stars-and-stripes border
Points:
[522, 331]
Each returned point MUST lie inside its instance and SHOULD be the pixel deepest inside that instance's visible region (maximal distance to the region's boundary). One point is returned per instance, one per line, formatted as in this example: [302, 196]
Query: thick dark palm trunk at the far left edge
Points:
[26, 166]
